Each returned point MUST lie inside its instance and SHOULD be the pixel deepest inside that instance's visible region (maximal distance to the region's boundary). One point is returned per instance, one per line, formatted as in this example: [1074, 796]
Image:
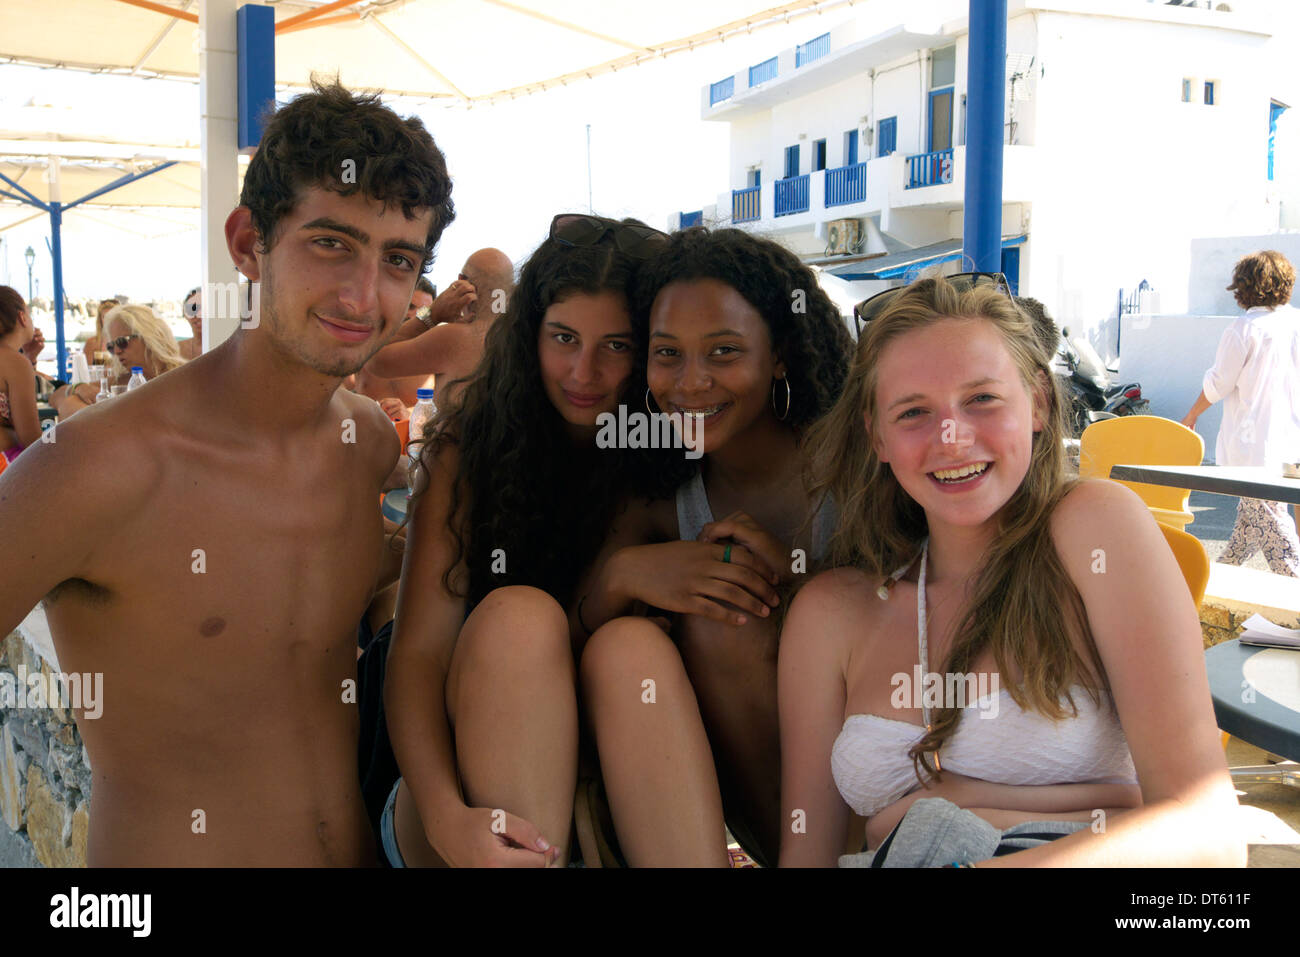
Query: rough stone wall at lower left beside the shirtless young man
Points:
[45, 773]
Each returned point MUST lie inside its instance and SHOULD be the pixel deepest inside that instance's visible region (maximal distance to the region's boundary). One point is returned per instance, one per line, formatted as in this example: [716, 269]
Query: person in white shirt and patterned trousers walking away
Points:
[1258, 375]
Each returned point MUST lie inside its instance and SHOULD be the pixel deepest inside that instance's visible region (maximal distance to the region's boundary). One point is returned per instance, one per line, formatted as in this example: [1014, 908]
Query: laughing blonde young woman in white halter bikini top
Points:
[964, 548]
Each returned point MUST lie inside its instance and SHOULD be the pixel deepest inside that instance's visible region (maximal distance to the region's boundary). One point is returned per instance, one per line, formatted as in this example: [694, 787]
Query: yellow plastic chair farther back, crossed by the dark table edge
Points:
[1143, 440]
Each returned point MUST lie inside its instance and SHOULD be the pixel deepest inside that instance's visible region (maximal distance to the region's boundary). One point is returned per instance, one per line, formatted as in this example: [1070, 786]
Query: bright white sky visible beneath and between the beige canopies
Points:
[514, 166]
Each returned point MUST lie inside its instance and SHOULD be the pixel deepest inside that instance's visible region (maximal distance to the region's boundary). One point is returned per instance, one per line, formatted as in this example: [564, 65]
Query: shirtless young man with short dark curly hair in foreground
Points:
[209, 543]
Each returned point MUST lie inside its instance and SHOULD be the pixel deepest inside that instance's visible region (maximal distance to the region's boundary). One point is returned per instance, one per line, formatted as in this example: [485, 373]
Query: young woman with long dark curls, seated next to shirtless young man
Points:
[480, 688]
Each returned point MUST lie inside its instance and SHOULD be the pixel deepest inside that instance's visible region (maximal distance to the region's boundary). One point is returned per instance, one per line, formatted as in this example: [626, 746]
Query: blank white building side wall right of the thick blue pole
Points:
[1129, 172]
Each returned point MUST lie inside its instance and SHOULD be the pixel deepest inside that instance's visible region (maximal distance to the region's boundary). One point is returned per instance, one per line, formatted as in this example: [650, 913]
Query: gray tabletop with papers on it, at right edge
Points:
[1246, 712]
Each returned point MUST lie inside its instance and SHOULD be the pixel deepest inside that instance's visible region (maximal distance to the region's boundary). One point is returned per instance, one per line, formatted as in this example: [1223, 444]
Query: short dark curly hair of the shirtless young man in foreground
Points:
[348, 144]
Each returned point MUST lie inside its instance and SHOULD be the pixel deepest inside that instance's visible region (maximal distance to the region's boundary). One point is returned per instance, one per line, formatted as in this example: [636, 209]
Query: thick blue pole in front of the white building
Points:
[986, 92]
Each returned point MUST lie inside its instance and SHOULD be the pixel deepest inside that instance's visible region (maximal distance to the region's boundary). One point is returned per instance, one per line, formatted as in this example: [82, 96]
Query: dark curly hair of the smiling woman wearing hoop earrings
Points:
[807, 328]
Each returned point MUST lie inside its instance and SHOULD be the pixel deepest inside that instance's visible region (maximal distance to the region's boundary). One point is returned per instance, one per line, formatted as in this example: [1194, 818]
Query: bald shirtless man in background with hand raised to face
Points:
[452, 349]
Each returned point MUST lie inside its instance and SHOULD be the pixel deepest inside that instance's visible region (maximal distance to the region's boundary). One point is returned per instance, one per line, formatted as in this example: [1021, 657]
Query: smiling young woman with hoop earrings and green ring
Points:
[744, 343]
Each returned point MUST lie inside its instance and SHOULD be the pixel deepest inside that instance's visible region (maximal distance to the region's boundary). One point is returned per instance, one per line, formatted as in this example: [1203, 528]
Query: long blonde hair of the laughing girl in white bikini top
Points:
[1022, 605]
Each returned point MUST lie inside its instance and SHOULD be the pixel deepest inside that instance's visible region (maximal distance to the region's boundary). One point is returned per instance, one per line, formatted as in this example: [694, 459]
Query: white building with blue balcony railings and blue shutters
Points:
[1136, 131]
